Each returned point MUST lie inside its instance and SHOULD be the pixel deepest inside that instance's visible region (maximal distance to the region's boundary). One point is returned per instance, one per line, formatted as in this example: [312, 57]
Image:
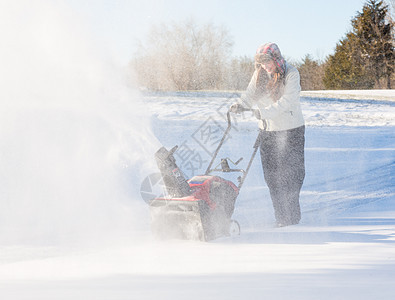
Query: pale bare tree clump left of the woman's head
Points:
[184, 56]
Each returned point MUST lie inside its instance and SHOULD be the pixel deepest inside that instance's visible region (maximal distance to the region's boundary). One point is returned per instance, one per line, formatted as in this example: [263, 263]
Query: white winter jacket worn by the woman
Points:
[284, 114]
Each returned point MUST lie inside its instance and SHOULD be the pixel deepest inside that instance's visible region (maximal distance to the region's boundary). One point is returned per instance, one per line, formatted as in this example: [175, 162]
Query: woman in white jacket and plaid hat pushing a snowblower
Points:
[275, 90]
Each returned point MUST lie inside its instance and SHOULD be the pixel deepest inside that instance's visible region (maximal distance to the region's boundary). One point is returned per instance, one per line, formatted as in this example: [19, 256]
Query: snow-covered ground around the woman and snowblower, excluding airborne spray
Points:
[344, 248]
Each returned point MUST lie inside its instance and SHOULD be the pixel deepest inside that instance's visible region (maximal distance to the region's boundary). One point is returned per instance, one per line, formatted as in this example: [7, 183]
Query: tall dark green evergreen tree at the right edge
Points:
[366, 54]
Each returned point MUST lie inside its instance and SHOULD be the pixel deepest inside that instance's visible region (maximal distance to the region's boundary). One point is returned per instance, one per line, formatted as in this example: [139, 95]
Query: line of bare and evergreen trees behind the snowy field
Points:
[188, 56]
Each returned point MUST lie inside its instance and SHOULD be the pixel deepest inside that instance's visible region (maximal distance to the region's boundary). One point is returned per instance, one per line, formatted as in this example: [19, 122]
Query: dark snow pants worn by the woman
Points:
[282, 155]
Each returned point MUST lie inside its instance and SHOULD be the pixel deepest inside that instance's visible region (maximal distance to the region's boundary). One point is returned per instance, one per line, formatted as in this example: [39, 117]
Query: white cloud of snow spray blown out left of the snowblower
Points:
[74, 140]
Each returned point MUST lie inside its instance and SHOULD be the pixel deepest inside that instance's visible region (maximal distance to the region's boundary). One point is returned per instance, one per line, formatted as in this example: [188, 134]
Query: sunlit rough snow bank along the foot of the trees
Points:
[369, 109]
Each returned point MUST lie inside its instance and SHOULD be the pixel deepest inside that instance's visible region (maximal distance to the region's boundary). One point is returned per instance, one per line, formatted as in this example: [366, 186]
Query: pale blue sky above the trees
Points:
[299, 27]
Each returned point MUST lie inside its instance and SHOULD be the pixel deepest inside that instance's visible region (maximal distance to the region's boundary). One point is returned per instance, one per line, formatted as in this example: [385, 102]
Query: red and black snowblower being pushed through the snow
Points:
[200, 208]
